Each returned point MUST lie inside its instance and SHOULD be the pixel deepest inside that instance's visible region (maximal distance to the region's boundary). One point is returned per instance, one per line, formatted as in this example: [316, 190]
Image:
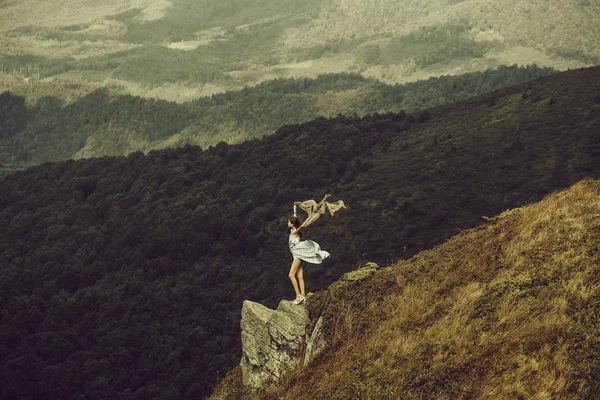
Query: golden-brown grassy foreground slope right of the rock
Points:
[505, 310]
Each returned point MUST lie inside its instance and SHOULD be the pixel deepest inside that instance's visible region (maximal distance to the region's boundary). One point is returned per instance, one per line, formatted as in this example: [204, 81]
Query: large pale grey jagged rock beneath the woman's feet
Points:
[275, 341]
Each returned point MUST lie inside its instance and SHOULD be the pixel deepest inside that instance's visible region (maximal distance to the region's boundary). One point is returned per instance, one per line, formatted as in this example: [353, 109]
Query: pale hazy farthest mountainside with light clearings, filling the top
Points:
[183, 49]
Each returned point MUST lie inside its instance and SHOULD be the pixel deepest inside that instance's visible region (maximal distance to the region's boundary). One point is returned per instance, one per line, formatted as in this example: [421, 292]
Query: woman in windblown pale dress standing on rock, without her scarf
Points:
[302, 250]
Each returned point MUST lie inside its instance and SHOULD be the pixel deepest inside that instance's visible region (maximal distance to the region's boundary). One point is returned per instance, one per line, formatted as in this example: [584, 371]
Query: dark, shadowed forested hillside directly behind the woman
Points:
[123, 277]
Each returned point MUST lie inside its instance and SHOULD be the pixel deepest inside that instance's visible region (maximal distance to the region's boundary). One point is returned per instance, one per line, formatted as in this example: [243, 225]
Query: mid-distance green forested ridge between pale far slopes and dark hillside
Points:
[36, 127]
